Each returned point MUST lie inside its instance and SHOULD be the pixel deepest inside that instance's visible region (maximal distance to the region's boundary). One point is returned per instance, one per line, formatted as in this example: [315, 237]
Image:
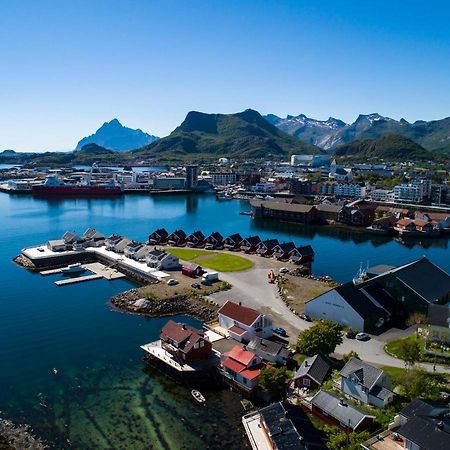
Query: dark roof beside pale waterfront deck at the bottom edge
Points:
[281, 428]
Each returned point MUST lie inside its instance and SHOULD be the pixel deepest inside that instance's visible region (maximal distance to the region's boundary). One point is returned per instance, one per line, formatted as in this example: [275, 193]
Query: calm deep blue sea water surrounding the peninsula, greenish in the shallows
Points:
[102, 396]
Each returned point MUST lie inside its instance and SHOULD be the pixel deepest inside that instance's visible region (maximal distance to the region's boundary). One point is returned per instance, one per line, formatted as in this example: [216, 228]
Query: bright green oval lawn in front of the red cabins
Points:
[222, 262]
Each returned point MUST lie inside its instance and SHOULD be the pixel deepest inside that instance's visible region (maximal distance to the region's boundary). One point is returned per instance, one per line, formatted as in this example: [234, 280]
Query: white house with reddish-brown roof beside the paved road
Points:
[243, 323]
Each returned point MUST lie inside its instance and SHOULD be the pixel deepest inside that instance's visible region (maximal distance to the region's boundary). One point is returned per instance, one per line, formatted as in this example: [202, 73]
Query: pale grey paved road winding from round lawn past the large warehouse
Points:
[252, 289]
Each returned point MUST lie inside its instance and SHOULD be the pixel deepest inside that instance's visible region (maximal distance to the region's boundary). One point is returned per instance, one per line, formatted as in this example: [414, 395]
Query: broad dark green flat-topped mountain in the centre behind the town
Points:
[242, 135]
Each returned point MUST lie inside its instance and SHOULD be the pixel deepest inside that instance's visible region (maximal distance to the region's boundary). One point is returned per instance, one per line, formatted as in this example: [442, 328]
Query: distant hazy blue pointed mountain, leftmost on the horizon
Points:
[114, 136]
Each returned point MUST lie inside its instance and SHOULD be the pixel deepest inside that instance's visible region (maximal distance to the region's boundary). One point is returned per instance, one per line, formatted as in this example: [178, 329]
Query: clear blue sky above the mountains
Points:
[67, 67]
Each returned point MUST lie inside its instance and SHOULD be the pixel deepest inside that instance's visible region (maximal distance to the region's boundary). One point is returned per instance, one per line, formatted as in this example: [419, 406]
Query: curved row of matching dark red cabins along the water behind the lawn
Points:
[286, 251]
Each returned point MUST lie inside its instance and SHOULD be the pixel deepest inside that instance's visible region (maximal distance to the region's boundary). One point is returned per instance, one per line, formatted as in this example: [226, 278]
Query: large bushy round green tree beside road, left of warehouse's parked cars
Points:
[322, 337]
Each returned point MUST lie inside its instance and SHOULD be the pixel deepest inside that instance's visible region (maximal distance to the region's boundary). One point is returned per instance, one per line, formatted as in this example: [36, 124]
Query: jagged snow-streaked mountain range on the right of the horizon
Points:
[329, 134]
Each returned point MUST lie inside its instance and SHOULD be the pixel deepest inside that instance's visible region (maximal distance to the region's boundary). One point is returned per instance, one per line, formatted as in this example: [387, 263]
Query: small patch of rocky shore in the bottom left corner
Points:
[18, 437]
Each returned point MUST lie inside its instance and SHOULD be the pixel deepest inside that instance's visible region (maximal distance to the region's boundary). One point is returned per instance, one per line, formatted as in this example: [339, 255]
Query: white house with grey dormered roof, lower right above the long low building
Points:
[366, 383]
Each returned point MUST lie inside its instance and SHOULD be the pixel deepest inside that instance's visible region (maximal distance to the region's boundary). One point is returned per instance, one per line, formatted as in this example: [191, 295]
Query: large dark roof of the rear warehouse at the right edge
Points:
[424, 278]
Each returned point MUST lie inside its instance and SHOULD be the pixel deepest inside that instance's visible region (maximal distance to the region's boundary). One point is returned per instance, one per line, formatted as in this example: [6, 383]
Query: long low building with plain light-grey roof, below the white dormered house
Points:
[326, 405]
